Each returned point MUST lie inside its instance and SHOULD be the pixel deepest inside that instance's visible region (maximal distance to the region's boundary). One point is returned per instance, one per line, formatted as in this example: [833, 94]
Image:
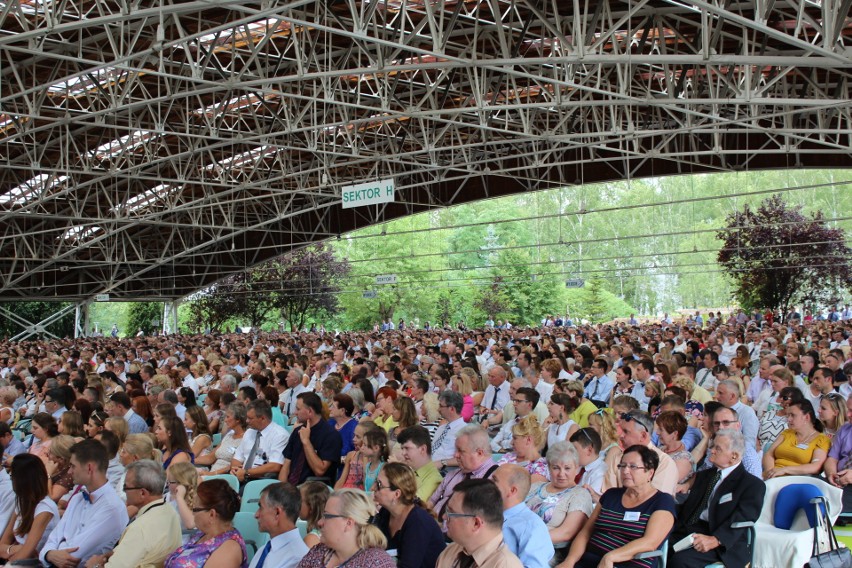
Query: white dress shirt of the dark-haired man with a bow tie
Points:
[93, 527]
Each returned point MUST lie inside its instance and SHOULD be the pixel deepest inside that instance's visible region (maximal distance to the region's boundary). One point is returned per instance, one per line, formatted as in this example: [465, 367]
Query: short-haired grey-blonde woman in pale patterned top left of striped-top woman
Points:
[562, 504]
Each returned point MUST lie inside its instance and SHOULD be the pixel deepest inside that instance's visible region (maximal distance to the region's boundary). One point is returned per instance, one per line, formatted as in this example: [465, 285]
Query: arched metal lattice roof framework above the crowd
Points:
[149, 148]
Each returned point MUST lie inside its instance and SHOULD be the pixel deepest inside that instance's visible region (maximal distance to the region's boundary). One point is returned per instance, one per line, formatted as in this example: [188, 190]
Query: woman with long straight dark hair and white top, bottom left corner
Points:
[35, 513]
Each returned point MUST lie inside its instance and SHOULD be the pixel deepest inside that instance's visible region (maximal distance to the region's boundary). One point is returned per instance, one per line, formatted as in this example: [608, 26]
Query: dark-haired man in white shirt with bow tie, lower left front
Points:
[95, 517]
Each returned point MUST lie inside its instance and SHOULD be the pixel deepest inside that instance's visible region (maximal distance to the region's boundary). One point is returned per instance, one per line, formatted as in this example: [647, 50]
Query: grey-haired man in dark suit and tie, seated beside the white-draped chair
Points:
[720, 496]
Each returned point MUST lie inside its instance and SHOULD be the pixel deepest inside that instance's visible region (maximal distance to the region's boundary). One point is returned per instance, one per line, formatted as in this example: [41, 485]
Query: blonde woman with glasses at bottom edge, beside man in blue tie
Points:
[348, 534]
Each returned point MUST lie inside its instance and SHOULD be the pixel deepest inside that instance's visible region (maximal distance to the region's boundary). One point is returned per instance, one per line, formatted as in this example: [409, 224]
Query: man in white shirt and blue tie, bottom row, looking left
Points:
[277, 513]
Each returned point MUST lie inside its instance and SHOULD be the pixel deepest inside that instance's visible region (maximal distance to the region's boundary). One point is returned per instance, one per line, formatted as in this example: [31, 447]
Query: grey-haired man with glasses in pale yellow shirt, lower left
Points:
[154, 532]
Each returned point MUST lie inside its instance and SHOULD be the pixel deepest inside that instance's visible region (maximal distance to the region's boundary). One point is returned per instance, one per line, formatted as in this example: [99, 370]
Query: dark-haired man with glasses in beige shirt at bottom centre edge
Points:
[475, 525]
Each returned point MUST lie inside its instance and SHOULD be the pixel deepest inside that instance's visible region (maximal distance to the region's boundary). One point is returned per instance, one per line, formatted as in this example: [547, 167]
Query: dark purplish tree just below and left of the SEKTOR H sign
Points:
[308, 283]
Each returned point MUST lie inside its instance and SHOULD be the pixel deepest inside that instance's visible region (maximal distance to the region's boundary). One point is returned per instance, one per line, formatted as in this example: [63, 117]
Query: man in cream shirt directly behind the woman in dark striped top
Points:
[635, 427]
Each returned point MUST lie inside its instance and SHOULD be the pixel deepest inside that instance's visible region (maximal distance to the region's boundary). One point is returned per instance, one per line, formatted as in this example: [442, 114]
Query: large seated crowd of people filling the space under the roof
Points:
[502, 446]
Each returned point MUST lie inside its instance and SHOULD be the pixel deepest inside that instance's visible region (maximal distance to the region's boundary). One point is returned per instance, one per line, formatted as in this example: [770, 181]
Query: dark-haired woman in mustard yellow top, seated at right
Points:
[802, 448]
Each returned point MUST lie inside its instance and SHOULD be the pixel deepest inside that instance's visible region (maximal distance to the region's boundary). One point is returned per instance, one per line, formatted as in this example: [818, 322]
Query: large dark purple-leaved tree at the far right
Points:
[777, 257]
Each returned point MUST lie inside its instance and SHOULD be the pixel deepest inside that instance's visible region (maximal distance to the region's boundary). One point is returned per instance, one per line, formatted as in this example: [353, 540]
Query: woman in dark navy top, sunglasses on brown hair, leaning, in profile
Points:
[407, 522]
